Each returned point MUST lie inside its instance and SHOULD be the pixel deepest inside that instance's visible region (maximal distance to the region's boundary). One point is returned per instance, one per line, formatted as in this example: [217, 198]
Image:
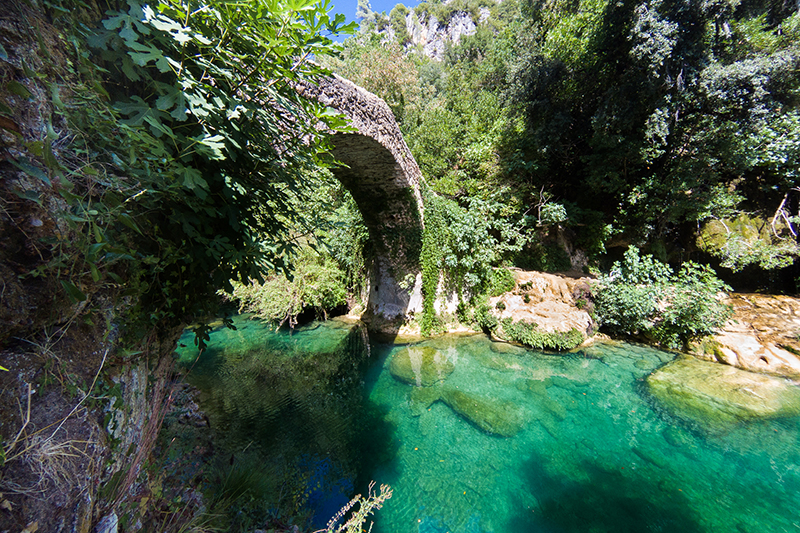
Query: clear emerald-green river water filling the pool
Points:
[595, 453]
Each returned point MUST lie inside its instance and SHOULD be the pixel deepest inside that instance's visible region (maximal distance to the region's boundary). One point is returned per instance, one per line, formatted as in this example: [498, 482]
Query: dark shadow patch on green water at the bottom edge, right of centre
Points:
[601, 501]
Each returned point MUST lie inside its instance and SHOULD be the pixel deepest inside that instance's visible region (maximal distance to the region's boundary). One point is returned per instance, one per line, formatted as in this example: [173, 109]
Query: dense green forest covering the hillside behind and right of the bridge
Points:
[641, 122]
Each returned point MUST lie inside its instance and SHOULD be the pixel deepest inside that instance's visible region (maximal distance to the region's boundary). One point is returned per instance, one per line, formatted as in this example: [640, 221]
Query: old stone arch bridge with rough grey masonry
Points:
[384, 180]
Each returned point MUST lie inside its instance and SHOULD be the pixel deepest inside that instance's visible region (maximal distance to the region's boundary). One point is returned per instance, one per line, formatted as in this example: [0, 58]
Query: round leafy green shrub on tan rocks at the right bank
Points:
[642, 296]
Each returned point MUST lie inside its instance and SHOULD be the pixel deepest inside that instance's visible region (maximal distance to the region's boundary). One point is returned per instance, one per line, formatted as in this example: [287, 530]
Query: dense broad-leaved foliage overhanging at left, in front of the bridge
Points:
[185, 165]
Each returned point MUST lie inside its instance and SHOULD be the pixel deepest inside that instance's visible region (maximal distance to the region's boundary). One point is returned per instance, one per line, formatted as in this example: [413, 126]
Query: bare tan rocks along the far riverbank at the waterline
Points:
[762, 335]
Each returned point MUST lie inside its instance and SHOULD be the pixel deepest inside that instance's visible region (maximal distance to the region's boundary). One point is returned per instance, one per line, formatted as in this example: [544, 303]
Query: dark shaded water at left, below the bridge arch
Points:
[290, 409]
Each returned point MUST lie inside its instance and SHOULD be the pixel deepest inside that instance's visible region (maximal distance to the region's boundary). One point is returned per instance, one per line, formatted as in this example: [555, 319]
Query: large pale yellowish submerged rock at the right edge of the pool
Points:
[716, 396]
